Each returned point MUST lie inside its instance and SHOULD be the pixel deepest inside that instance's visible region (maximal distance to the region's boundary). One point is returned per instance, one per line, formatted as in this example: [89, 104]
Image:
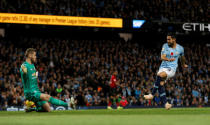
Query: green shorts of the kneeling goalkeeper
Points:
[35, 97]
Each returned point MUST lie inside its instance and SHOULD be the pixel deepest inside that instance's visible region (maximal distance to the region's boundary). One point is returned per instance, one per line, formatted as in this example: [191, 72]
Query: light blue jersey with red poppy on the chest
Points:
[171, 53]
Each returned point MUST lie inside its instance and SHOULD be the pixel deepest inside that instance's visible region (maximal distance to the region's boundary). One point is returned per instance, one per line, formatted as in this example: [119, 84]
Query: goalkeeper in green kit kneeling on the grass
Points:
[31, 91]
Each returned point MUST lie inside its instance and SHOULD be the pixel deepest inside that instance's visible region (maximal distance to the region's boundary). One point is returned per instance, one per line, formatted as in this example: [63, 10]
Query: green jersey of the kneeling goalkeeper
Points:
[29, 79]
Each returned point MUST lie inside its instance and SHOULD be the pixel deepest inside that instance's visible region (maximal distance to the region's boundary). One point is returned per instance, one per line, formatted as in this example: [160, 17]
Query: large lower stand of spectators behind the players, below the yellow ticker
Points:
[82, 69]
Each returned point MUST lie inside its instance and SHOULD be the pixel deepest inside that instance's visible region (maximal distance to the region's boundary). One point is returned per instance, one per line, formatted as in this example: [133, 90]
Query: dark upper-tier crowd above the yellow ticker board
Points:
[161, 10]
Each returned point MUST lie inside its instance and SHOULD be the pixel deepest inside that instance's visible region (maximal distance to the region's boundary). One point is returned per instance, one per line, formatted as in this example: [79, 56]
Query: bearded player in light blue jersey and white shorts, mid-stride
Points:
[170, 53]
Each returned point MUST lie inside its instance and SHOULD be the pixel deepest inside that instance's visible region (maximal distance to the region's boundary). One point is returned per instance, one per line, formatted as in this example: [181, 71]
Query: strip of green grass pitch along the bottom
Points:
[154, 116]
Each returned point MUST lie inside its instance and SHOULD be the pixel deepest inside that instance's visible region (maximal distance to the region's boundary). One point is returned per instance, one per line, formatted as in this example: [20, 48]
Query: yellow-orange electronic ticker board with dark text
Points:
[61, 20]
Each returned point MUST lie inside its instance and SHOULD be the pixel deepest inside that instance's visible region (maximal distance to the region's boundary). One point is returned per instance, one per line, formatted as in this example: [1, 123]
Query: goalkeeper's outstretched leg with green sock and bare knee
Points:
[54, 101]
